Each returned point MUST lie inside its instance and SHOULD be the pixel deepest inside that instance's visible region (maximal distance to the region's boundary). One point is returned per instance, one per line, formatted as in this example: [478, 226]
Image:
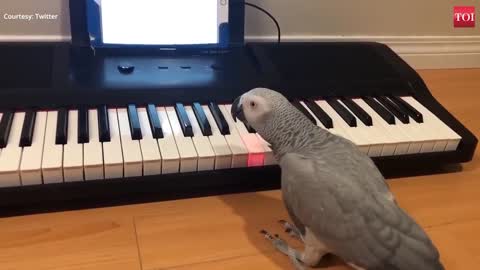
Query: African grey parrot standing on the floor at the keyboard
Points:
[335, 195]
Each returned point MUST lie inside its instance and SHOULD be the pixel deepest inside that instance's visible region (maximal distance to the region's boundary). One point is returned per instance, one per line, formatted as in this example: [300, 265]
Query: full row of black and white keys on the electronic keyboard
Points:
[84, 144]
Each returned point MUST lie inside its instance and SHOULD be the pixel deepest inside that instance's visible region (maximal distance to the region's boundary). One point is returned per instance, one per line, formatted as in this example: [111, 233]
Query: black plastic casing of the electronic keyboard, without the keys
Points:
[49, 76]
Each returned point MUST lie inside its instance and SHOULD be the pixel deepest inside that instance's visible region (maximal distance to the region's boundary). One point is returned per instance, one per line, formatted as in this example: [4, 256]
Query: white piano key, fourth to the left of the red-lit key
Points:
[186, 149]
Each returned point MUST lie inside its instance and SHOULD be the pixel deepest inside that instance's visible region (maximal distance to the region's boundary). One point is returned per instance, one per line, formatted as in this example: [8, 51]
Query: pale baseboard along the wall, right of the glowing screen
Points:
[421, 52]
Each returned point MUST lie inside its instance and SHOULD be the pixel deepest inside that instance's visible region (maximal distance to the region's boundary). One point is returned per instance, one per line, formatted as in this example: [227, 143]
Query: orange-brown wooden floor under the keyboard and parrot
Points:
[223, 232]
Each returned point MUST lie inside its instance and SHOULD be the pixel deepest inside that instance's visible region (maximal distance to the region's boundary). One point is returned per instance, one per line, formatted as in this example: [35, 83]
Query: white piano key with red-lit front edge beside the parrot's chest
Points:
[256, 152]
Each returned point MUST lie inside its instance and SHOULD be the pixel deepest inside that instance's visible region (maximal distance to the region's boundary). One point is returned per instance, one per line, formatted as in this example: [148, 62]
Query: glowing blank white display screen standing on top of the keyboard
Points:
[165, 22]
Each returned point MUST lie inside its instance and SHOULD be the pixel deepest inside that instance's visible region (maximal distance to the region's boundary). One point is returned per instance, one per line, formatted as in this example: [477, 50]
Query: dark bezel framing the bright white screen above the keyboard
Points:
[93, 25]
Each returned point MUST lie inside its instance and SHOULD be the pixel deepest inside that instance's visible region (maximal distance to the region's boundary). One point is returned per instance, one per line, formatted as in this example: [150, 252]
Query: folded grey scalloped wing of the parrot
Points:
[354, 220]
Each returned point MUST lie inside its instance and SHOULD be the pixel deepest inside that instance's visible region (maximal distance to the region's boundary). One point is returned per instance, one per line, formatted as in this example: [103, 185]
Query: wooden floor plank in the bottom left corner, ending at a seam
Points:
[68, 241]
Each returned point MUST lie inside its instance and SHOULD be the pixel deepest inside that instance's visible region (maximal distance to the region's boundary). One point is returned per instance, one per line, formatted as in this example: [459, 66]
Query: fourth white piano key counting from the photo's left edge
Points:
[72, 151]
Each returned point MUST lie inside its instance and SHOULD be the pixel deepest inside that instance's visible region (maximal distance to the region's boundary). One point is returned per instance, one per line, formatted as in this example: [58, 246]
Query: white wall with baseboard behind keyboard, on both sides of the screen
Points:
[420, 31]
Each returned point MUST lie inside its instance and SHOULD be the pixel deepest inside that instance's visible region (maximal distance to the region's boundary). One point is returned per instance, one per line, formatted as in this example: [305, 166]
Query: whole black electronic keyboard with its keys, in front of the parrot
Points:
[83, 129]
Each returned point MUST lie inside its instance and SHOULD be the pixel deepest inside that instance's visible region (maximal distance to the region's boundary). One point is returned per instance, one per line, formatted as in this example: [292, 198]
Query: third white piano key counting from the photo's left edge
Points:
[52, 153]
